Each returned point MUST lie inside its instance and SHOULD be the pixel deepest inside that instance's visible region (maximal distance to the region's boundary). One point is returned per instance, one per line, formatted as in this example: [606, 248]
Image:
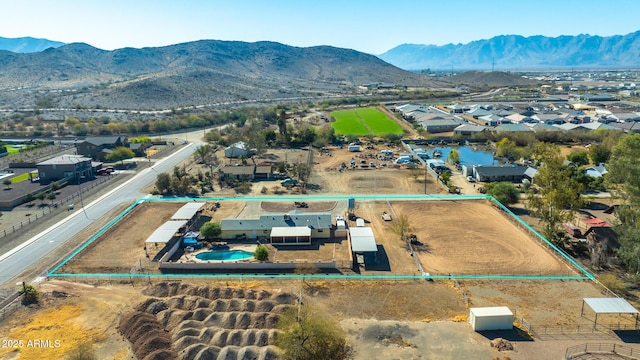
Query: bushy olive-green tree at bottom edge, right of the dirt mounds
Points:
[308, 336]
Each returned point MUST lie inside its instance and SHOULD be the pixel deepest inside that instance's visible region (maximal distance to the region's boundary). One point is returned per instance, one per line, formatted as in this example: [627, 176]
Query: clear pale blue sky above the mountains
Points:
[372, 26]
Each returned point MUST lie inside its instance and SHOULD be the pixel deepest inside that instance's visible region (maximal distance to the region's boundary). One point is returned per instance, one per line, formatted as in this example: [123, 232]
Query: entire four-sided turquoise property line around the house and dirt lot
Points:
[588, 275]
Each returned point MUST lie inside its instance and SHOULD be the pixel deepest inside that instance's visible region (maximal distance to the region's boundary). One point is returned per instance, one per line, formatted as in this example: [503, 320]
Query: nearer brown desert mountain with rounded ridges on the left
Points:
[193, 73]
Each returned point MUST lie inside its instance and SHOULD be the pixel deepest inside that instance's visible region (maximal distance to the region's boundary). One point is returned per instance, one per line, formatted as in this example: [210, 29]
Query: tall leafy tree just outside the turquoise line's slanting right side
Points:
[559, 194]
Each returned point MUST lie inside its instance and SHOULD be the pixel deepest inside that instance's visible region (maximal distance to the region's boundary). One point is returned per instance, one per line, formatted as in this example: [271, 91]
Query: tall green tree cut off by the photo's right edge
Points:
[624, 179]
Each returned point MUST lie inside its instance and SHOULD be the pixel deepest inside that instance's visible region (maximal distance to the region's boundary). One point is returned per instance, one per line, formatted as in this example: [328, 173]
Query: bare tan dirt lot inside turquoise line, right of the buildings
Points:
[475, 238]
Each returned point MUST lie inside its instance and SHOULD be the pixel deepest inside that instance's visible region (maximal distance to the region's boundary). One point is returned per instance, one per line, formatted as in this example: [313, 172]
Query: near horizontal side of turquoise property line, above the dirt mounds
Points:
[328, 276]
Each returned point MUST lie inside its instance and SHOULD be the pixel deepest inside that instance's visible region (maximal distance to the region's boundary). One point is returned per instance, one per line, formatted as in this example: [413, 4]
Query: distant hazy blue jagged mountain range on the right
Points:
[514, 52]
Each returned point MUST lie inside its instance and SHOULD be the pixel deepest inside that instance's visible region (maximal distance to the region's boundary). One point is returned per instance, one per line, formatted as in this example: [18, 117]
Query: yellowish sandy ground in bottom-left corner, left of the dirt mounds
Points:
[71, 313]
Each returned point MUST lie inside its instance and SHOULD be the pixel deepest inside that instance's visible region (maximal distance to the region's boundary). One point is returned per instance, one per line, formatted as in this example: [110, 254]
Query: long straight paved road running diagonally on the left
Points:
[30, 252]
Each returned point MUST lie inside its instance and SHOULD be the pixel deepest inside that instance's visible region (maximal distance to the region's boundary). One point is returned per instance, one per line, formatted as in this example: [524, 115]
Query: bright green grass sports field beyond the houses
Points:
[363, 122]
